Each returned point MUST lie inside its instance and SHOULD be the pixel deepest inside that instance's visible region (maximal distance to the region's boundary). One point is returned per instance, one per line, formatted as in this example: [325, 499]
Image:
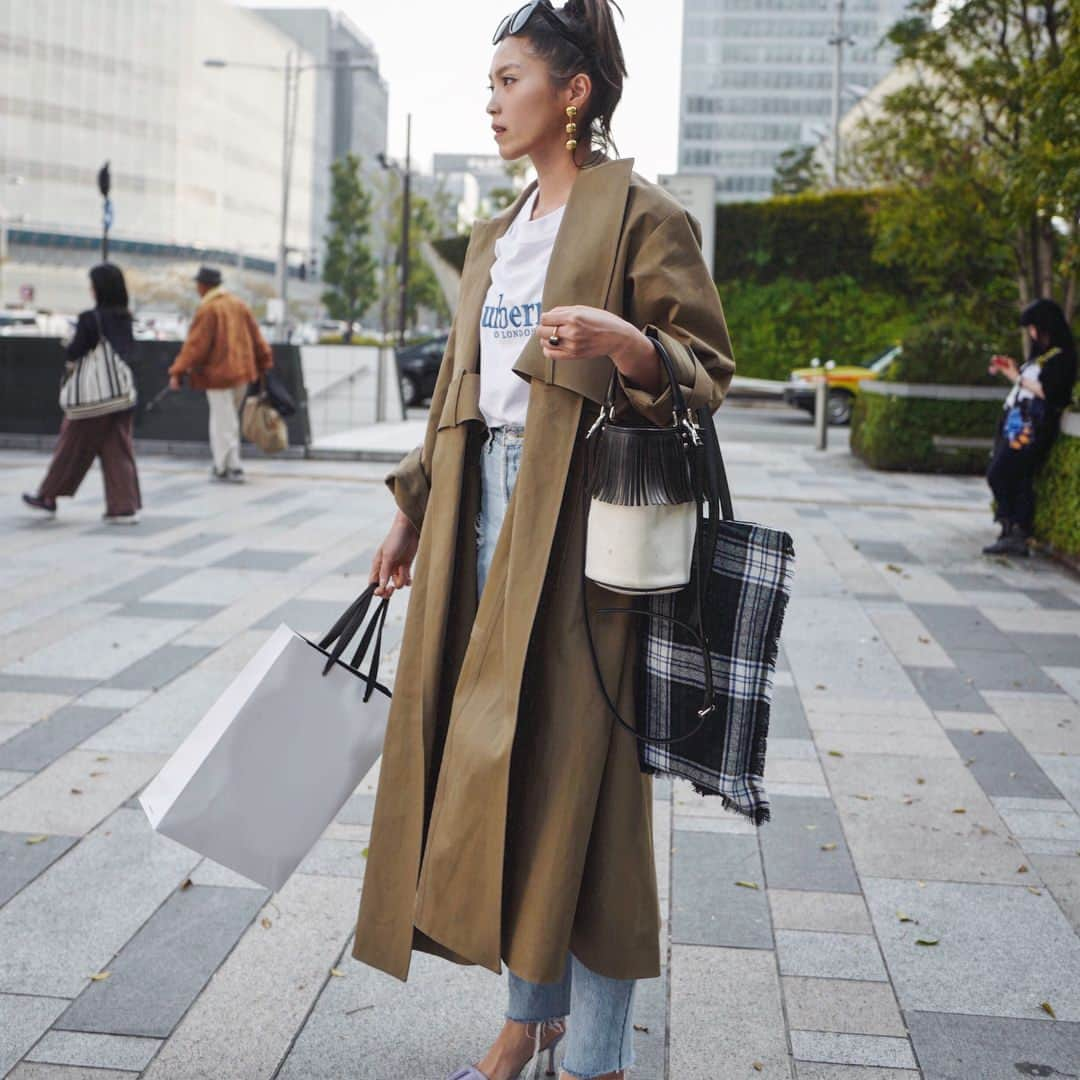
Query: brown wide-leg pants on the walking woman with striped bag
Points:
[109, 438]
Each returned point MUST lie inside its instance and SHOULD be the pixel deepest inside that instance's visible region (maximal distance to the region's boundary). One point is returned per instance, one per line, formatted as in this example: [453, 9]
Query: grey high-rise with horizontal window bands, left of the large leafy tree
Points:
[758, 79]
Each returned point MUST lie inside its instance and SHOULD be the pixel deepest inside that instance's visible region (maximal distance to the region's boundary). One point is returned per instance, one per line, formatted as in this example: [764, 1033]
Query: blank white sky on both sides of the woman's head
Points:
[436, 58]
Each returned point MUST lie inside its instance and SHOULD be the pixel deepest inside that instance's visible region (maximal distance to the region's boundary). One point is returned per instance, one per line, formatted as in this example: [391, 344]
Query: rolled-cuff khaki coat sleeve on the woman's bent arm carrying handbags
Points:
[672, 294]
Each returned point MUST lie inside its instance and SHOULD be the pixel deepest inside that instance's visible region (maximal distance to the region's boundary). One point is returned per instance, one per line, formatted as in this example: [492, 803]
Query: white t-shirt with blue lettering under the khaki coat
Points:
[511, 313]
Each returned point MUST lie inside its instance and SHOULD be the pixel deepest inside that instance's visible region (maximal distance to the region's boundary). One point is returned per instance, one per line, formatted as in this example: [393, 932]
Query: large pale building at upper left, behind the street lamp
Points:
[195, 153]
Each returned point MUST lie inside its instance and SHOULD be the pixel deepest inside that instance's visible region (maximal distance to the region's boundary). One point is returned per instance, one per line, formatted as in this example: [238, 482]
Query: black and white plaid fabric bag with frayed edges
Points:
[748, 592]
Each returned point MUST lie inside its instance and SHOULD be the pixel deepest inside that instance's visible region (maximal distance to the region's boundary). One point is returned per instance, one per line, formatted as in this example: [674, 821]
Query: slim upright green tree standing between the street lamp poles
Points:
[349, 268]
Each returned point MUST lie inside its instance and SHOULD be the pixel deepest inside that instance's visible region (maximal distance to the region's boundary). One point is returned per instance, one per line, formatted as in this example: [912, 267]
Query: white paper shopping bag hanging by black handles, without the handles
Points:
[273, 763]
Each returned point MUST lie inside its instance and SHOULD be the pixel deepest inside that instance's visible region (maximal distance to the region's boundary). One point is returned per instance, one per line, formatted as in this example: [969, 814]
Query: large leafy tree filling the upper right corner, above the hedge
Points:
[982, 144]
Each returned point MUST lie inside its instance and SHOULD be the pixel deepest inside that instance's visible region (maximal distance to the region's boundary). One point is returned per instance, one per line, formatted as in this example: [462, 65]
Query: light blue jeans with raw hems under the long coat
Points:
[600, 1037]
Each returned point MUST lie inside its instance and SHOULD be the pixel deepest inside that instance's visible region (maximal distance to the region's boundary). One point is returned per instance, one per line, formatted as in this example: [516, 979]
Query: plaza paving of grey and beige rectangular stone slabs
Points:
[925, 774]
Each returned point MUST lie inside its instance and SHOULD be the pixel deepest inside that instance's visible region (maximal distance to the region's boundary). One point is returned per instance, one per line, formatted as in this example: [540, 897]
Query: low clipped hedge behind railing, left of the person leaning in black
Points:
[897, 434]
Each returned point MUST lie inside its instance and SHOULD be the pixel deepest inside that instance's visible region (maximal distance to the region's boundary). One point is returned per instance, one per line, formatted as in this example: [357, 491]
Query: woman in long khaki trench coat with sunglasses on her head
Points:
[512, 822]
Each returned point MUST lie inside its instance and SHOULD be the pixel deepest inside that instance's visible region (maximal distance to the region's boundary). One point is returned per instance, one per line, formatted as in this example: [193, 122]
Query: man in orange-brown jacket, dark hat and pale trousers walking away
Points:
[224, 353]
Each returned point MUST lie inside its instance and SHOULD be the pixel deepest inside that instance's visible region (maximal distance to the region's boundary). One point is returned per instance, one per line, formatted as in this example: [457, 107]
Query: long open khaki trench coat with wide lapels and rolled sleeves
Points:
[512, 821]
